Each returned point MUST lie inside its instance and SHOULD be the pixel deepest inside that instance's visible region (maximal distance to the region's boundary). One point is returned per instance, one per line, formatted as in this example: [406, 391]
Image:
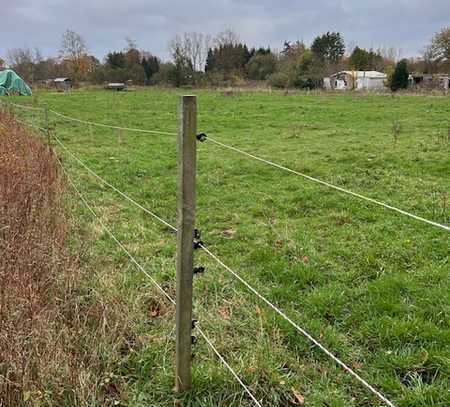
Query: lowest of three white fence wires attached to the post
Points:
[155, 283]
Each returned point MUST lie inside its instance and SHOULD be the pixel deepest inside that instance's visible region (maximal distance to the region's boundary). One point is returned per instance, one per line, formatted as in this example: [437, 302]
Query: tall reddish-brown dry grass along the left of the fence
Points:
[50, 332]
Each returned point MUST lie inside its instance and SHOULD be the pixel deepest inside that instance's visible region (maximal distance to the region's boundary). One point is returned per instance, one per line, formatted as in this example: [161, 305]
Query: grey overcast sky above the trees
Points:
[104, 24]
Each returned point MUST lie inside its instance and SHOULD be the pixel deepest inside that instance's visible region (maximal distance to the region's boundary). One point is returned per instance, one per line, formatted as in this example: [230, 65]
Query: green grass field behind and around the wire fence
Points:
[370, 284]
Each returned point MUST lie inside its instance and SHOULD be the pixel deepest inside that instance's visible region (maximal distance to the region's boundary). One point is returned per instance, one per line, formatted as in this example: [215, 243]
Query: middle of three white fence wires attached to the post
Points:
[244, 282]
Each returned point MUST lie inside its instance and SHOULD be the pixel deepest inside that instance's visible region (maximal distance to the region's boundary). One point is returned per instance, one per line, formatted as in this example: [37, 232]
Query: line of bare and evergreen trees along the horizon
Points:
[198, 59]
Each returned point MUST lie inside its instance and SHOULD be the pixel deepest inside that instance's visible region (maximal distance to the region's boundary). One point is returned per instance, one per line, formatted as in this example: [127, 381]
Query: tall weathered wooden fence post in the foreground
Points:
[187, 128]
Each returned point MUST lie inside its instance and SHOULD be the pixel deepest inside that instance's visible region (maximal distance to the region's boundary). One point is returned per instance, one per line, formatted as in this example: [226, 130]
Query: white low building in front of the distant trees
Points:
[356, 80]
